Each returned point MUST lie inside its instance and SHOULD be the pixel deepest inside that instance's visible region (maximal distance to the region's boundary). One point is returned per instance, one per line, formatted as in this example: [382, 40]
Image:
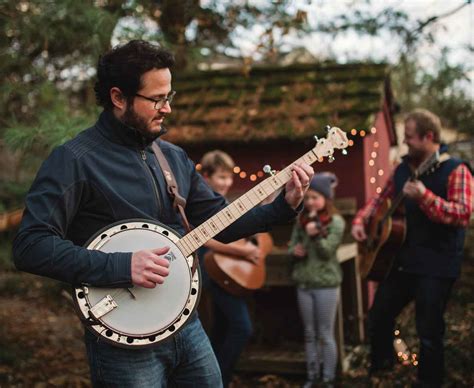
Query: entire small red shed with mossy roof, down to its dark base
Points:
[270, 115]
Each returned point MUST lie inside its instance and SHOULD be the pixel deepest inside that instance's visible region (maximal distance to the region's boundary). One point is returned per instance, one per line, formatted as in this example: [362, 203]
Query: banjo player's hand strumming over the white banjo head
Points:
[148, 268]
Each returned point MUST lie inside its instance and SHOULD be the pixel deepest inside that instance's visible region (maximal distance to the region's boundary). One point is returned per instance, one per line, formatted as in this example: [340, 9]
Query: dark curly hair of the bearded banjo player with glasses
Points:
[123, 67]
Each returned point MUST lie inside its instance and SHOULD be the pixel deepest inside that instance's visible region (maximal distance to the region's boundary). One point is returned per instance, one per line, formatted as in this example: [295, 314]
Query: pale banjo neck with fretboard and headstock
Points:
[206, 231]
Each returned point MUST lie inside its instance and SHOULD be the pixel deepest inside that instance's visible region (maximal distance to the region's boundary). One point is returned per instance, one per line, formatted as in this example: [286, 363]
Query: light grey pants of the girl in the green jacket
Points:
[318, 311]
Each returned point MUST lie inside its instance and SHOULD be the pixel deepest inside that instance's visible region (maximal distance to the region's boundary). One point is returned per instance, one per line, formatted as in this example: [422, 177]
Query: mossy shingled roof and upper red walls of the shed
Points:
[269, 115]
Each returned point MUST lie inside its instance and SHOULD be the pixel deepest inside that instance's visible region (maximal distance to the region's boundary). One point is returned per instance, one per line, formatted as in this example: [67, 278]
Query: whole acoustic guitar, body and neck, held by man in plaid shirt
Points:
[386, 229]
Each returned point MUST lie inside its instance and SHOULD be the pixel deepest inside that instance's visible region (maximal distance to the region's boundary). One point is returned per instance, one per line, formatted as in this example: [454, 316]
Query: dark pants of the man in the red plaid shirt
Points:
[430, 295]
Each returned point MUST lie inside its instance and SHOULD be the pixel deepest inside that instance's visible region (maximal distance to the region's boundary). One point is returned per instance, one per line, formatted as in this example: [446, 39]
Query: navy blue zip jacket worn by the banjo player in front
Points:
[108, 174]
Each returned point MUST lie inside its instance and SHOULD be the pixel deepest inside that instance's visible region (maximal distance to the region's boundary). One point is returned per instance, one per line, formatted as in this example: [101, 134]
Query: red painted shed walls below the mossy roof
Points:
[353, 170]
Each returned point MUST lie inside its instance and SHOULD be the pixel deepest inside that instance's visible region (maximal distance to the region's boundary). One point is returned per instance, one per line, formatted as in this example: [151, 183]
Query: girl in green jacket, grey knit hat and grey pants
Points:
[316, 236]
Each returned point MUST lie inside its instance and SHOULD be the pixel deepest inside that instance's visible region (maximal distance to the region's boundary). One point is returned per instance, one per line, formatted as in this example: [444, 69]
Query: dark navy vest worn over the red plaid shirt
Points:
[430, 248]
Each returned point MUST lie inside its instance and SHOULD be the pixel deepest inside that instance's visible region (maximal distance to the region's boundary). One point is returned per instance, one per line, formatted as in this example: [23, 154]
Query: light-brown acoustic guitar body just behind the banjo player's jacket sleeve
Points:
[235, 275]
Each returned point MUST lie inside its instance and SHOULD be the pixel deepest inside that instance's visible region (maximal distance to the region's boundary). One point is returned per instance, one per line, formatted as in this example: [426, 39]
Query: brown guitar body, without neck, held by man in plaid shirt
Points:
[385, 236]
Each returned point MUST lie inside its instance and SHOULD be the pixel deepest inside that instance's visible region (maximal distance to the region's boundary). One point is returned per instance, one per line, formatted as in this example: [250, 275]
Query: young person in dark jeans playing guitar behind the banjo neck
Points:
[231, 325]
